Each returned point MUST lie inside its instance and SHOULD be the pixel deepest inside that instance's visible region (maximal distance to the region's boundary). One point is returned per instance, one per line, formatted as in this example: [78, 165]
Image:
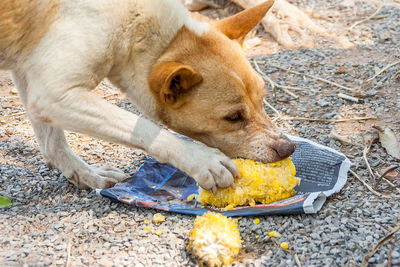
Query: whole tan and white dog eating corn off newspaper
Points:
[188, 75]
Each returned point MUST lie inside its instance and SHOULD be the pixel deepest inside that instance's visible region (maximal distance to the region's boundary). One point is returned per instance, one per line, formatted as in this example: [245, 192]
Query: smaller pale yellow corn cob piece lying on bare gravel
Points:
[215, 239]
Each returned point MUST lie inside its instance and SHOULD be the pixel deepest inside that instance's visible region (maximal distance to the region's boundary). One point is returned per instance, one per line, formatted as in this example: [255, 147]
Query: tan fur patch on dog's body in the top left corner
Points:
[22, 25]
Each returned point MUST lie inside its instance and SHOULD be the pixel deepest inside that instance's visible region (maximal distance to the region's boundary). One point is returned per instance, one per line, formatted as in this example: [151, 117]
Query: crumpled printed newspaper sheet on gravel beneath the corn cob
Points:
[322, 170]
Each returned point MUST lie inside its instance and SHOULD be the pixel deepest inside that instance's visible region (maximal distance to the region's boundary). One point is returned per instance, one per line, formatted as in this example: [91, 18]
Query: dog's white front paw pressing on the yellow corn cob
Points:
[211, 168]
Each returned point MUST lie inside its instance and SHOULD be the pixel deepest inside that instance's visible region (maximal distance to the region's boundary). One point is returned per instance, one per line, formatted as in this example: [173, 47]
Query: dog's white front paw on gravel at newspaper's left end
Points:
[96, 176]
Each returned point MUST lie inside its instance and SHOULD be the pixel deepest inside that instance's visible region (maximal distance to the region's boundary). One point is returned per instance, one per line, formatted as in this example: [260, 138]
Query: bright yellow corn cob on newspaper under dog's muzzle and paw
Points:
[263, 183]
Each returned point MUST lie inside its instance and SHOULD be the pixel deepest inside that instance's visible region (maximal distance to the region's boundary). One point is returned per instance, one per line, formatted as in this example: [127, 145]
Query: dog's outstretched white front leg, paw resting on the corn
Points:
[80, 110]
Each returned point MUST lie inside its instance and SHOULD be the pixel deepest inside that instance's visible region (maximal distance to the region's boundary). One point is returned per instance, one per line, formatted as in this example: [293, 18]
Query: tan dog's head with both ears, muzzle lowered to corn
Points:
[207, 90]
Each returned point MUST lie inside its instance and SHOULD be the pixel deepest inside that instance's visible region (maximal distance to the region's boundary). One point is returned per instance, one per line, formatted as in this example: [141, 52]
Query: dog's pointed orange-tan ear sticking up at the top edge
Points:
[237, 26]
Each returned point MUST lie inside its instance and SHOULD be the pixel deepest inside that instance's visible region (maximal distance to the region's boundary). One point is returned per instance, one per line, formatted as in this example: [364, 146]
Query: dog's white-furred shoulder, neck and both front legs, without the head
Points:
[121, 40]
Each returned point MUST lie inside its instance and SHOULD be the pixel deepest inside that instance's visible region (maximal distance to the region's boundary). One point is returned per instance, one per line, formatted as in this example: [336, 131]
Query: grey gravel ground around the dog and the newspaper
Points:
[53, 223]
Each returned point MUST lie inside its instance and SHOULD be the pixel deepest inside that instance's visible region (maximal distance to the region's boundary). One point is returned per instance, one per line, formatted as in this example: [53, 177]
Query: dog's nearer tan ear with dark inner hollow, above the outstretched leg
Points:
[171, 80]
